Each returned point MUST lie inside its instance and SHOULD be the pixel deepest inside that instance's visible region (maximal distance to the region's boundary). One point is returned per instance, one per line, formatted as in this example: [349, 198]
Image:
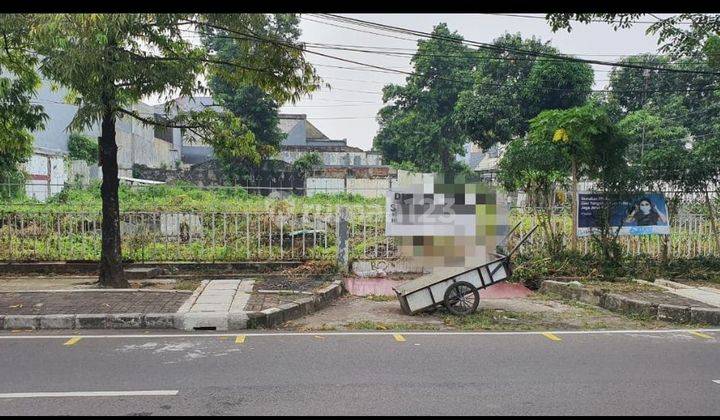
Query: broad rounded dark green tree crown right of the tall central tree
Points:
[510, 88]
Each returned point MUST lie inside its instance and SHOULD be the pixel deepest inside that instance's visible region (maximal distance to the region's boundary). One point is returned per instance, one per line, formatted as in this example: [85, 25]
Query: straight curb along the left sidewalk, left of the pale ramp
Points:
[88, 321]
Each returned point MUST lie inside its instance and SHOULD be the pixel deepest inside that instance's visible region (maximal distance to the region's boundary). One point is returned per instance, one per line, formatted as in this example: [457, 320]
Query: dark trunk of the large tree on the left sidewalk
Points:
[111, 270]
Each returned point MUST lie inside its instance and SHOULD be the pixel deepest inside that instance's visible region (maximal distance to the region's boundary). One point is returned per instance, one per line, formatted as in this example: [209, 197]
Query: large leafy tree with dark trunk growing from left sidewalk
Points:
[111, 61]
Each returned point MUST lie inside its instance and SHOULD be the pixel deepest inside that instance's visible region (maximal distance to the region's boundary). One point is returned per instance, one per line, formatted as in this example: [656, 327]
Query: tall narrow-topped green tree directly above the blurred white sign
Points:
[418, 125]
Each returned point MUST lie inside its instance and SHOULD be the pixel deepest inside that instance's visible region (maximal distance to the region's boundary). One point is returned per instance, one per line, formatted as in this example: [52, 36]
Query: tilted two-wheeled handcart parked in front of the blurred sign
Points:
[457, 289]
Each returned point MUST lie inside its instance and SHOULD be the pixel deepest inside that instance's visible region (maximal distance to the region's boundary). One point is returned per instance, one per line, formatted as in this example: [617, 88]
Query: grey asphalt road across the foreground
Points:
[353, 374]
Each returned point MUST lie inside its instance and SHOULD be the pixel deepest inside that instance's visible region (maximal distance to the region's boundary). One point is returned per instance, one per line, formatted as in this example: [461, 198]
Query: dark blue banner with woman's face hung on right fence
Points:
[643, 214]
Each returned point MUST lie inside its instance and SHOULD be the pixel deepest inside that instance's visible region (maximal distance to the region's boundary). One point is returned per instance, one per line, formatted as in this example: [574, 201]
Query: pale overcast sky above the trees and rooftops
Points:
[349, 109]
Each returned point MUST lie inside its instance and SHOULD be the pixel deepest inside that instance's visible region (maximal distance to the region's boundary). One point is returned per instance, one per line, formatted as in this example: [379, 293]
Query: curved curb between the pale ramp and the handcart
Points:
[269, 318]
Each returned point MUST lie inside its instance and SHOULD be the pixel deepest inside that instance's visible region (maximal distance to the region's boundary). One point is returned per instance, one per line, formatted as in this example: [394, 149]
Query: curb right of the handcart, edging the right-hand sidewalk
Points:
[621, 304]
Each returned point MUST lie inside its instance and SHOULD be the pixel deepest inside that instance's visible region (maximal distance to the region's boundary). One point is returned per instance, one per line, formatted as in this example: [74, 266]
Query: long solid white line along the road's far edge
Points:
[328, 333]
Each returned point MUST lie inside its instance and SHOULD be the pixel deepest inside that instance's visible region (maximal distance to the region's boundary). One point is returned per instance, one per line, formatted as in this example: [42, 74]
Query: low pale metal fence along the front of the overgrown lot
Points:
[268, 236]
